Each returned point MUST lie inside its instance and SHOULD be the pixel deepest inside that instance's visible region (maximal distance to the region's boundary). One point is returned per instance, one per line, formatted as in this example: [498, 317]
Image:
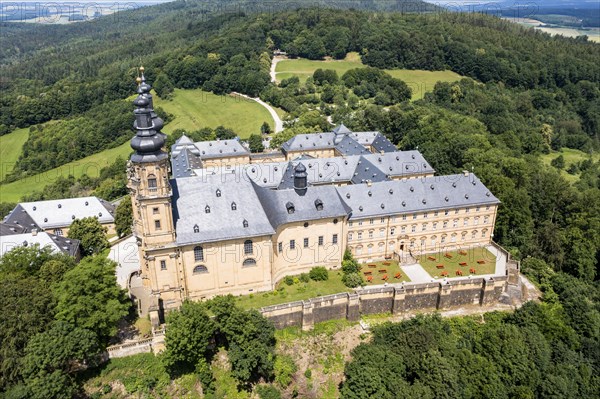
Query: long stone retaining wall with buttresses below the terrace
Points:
[395, 299]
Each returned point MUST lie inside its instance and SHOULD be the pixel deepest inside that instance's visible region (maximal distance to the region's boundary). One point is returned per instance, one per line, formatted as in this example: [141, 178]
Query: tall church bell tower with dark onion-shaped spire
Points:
[148, 176]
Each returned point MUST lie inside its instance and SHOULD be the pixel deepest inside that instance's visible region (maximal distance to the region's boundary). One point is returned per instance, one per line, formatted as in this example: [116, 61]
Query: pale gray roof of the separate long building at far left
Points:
[61, 212]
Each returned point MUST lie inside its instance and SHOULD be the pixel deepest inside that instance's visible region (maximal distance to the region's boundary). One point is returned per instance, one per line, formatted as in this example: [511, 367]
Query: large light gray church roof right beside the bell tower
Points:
[192, 195]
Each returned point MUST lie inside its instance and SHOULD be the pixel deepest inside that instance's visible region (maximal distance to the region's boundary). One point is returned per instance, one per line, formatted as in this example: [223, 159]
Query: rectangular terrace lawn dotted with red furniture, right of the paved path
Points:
[452, 263]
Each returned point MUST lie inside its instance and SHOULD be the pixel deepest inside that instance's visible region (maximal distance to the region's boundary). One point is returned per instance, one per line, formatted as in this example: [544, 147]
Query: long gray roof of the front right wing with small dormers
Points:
[415, 195]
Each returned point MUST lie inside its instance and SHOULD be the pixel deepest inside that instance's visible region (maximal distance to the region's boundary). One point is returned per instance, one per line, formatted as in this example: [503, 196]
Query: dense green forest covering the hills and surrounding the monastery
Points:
[524, 95]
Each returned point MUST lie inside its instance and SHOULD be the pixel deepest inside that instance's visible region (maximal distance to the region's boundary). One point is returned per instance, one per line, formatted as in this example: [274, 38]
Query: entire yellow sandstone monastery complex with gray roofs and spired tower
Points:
[213, 219]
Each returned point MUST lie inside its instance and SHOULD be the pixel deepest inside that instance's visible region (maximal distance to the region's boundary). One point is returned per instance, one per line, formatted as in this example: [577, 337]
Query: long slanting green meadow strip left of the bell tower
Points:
[12, 192]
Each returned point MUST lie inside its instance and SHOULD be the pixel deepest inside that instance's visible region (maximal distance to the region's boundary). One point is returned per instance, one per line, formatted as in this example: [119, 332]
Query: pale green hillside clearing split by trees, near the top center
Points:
[420, 81]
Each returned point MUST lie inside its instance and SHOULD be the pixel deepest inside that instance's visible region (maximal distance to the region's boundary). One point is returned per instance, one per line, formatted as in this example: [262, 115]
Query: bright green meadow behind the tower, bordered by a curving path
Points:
[195, 109]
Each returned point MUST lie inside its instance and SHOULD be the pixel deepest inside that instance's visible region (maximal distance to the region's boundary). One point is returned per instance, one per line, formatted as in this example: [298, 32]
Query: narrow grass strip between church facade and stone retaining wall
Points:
[296, 292]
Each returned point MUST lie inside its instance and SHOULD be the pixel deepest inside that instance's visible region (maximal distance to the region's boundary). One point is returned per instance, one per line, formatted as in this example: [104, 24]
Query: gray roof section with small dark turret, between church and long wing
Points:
[304, 206]
